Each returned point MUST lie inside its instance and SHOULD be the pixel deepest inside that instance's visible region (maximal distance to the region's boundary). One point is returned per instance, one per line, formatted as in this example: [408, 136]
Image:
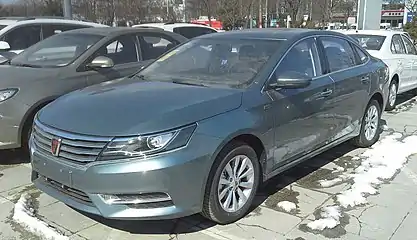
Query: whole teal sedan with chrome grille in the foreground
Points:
[200, 128]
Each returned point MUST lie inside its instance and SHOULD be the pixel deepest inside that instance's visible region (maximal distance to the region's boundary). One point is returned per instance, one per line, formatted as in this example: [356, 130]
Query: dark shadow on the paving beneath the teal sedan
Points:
[196, 223]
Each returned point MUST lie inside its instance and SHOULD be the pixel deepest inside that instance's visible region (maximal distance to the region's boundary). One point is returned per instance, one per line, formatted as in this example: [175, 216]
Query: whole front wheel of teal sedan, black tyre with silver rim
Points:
[225, 213]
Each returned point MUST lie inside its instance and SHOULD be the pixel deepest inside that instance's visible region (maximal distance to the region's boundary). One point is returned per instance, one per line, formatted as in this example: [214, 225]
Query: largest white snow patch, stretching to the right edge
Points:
[380, 162]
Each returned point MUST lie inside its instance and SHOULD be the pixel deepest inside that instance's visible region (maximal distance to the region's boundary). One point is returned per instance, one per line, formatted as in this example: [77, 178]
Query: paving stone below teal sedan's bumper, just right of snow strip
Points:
[66, 217]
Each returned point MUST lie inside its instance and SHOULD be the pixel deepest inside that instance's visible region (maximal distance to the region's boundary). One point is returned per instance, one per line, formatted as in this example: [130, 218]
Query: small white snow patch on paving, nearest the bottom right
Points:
[330, 218]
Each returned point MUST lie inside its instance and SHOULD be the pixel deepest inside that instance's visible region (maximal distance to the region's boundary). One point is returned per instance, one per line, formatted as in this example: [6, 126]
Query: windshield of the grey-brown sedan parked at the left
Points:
[56, 51]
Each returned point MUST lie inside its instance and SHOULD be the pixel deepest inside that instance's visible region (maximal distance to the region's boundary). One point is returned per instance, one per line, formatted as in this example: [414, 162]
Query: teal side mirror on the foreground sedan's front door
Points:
[291, 80]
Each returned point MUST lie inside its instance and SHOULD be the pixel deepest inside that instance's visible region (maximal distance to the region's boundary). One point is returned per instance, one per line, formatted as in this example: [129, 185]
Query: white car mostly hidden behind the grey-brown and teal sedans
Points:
[188, 30]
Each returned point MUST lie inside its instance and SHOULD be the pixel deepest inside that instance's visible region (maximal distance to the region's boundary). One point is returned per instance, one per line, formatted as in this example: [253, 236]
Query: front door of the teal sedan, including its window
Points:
[303, 122]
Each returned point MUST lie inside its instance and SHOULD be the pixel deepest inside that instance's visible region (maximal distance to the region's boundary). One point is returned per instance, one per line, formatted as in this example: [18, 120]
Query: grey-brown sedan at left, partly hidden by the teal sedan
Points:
[68, 61]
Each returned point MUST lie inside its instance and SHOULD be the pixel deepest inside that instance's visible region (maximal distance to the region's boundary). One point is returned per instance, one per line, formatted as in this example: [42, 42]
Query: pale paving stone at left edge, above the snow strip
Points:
[14, 177]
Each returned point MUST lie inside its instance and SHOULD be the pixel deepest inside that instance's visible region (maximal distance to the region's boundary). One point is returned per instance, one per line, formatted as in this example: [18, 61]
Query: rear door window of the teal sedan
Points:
[339, 53]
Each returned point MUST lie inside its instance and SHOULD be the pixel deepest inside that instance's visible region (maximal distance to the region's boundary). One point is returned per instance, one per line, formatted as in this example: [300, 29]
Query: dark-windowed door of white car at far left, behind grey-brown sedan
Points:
[23, 37]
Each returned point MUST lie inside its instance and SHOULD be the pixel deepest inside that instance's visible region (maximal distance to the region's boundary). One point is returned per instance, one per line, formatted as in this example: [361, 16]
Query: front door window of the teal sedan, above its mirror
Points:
[302, 58]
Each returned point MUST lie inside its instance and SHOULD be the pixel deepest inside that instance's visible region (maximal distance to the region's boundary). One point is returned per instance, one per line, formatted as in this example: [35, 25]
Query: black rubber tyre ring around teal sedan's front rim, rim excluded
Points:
[221, 216]
